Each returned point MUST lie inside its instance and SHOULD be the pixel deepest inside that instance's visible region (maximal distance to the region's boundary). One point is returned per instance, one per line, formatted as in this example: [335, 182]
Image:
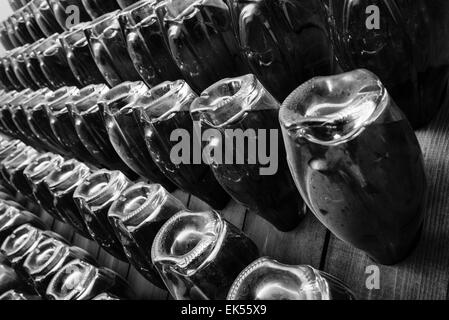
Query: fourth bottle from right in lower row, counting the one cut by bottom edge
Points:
[94, 196]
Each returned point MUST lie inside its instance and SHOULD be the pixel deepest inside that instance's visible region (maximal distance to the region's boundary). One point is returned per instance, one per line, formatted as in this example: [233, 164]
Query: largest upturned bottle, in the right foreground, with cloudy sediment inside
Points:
[357, 163]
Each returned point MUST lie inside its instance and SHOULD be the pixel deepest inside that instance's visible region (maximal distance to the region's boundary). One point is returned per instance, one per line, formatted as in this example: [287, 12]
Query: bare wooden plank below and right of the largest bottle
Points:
[424, 275]
